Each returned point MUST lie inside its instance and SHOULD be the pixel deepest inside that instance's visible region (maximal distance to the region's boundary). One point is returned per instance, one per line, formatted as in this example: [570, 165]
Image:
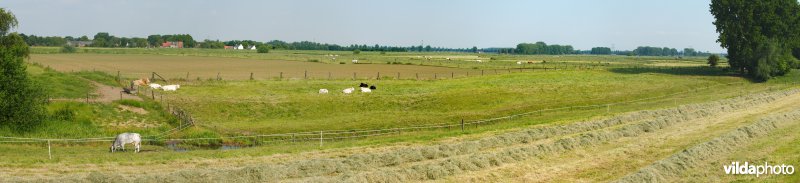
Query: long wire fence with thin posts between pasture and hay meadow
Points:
[327, 135]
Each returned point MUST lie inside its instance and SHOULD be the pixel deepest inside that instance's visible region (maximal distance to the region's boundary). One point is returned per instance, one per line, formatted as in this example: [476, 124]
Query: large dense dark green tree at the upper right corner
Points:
[759, 35]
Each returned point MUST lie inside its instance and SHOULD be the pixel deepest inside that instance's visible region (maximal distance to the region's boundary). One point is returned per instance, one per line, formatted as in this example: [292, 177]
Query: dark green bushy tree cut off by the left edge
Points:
[22, 104]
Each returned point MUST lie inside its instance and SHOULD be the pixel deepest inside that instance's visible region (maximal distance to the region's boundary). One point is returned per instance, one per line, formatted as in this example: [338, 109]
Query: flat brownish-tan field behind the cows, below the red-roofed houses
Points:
[172, 67]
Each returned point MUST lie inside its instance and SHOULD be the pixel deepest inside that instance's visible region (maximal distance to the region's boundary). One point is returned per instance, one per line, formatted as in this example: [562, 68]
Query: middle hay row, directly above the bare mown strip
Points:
[456, 165]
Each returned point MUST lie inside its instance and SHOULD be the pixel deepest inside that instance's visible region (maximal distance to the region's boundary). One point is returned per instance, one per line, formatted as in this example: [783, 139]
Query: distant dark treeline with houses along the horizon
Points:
[104, 39]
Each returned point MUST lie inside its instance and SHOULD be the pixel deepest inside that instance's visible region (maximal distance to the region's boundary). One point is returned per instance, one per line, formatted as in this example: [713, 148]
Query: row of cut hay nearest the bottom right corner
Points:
[672, 167]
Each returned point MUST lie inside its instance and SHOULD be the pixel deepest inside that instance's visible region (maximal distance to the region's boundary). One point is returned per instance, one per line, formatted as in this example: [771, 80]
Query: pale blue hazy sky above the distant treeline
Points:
[583, 24]
